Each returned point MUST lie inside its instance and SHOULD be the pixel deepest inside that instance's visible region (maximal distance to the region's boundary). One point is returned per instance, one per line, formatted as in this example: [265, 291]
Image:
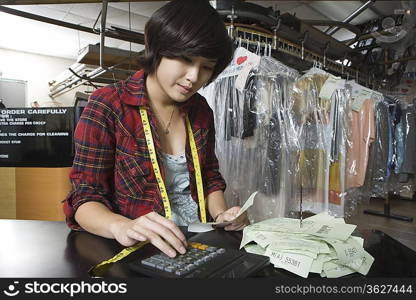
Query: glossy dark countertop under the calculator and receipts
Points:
[49, 249]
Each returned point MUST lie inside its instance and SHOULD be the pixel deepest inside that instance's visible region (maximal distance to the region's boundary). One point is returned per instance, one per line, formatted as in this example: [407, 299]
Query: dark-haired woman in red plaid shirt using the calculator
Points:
[119, 190]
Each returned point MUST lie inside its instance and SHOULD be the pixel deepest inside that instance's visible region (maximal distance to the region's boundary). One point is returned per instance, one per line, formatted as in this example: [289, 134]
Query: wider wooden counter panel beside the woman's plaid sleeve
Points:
[39, 193]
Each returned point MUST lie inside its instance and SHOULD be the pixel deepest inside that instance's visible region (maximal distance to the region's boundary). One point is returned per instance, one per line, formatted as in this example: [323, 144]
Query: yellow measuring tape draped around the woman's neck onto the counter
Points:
[95, 271]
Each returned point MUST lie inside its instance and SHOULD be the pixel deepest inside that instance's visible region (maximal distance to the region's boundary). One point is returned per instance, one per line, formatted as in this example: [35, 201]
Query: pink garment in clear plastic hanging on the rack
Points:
[362, 135]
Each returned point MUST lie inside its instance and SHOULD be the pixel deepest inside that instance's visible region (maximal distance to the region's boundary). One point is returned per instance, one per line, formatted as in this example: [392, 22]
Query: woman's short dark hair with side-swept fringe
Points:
[186, 28]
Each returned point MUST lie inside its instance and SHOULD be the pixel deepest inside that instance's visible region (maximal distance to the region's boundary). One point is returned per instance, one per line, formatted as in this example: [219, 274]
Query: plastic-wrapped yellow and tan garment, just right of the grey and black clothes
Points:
[312, 116]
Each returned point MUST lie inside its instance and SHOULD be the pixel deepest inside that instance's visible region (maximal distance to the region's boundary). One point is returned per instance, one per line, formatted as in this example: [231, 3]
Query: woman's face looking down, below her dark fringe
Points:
[180, 78]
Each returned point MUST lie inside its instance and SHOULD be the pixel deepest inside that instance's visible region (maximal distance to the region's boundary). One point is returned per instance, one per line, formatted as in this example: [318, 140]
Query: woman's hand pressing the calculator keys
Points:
[152, 227]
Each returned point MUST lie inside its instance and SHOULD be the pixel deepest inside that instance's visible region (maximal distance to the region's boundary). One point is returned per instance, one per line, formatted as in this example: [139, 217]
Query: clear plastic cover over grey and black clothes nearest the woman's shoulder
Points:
[256, 138]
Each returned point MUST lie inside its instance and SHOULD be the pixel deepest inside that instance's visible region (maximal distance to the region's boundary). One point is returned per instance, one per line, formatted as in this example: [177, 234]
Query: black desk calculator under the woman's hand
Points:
[201, 261]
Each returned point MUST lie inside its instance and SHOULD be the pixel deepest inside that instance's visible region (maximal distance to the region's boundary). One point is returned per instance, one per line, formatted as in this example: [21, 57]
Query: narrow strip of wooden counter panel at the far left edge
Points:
[7, 193]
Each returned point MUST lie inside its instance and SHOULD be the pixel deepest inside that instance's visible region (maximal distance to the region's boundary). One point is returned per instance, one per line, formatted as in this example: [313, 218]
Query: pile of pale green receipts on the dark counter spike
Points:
[322, 245]
